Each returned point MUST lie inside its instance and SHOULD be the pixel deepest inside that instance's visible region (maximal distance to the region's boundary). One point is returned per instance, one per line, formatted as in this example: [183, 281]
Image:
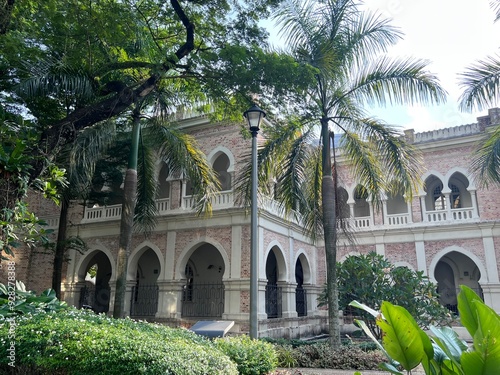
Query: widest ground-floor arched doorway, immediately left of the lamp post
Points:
[203, 292]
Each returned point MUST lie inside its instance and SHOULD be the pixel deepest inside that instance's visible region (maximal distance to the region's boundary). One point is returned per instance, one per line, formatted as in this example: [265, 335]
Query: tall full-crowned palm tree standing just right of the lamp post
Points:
[344, 45]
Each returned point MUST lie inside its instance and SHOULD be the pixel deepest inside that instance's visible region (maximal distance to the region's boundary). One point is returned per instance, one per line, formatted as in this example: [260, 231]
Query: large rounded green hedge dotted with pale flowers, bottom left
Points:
[80, 342]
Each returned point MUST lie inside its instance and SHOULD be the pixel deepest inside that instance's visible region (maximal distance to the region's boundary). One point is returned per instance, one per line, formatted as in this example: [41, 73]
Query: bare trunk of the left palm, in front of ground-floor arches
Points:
[127, 221]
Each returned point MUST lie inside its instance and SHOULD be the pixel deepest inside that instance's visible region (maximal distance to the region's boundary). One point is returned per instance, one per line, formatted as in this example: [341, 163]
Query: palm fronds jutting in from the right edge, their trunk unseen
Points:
[481, 83]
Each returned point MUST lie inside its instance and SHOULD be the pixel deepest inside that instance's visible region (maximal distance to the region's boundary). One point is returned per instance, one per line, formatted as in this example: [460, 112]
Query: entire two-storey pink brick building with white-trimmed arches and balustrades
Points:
[195, 268]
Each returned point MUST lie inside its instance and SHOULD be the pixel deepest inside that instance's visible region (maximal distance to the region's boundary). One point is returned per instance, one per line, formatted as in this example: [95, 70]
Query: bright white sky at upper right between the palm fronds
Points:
[452, 35]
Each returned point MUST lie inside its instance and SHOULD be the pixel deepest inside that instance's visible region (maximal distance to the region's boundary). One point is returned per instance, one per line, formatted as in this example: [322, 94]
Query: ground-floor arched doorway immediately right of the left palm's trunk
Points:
[144, 301]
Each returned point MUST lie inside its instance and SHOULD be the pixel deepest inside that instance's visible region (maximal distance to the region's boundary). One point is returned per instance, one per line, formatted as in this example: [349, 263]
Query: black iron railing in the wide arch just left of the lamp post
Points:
[203, 300]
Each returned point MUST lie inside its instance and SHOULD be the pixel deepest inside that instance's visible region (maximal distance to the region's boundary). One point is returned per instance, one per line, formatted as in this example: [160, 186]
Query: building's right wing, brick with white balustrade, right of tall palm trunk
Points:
[450, 230]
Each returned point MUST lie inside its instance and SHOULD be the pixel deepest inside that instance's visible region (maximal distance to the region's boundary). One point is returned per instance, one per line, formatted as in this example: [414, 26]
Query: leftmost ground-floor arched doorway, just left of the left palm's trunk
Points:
[96, 291]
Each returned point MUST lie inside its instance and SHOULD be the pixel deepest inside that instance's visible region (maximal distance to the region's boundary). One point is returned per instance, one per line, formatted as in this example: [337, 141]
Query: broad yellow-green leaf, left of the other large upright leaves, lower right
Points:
[402, 338]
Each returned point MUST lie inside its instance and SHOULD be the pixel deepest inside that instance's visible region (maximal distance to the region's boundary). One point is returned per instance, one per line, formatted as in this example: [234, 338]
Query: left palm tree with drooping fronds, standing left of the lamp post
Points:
[181, 154]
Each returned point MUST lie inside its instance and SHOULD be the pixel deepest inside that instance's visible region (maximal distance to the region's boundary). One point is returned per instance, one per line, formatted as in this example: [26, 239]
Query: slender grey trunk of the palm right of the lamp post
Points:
[330, 236]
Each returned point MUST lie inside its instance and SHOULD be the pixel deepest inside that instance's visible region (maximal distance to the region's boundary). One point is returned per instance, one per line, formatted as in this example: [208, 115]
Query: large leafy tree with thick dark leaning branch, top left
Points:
[149, 42]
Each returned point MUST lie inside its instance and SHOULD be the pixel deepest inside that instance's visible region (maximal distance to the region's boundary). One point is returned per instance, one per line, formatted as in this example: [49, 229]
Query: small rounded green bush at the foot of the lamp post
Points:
[253, 357]
